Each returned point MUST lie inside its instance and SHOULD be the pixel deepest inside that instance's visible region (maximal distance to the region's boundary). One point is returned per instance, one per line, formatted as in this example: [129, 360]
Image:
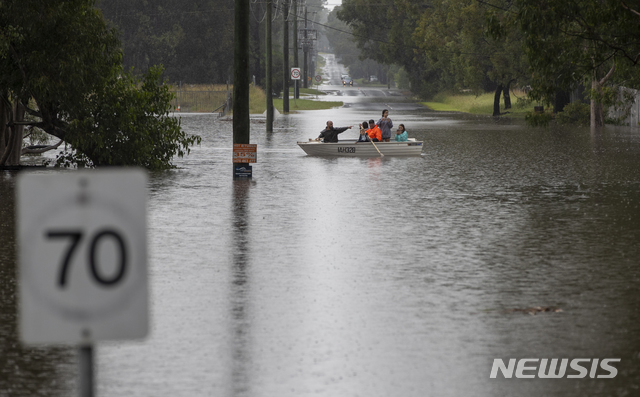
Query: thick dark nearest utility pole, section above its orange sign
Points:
[241, 124]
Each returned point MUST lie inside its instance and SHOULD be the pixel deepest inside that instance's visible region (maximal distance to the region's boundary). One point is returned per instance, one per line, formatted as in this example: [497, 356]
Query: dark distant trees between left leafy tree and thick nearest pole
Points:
[192, 39]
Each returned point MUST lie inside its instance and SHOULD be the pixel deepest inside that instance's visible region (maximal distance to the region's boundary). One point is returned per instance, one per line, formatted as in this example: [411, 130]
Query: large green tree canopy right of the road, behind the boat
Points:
[441, 44]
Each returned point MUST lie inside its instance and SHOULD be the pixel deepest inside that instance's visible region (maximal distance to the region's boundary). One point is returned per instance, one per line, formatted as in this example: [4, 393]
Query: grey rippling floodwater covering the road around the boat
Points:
[372, 277]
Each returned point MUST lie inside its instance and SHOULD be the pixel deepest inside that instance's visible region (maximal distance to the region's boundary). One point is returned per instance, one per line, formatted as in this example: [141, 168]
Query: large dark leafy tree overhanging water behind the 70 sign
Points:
[62, 67]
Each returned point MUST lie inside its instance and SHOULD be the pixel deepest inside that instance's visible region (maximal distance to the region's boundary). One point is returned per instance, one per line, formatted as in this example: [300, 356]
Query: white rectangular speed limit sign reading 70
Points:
[83, 256]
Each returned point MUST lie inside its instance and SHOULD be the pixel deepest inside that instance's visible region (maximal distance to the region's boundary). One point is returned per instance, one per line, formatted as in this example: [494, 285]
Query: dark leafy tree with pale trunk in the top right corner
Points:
[569, 43]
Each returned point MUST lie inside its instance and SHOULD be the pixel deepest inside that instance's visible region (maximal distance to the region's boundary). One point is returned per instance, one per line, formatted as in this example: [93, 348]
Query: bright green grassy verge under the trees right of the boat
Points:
[478, 104]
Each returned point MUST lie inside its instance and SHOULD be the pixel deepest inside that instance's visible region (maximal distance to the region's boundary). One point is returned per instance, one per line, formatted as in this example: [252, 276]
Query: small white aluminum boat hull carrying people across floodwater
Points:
[351, 148]
